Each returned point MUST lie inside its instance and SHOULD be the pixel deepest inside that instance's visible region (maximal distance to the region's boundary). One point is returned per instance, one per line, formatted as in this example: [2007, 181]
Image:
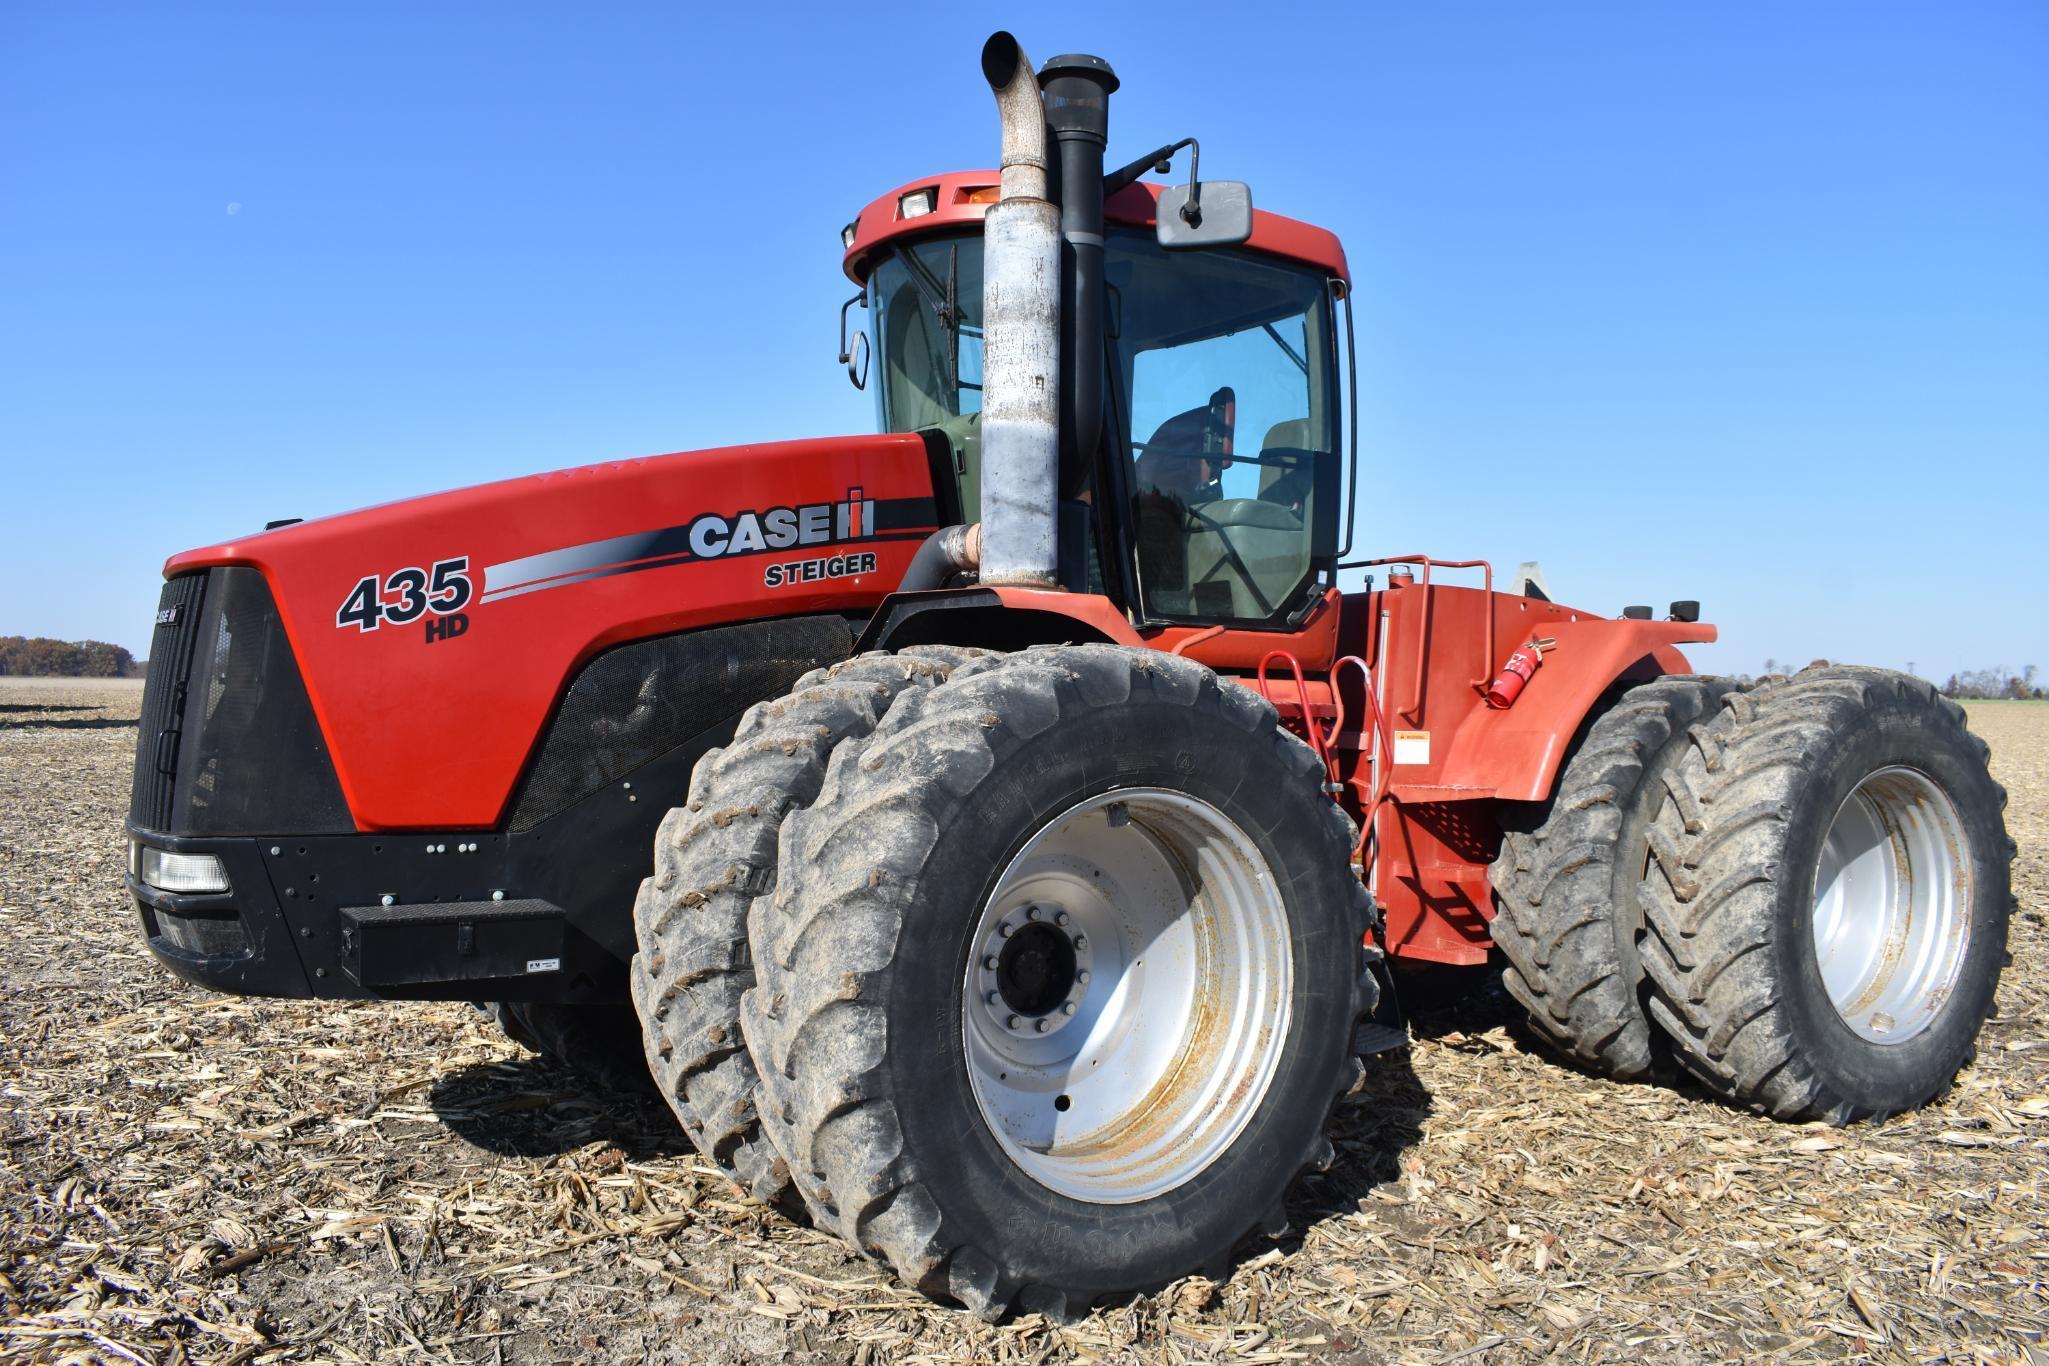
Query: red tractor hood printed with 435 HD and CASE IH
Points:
[437, 634]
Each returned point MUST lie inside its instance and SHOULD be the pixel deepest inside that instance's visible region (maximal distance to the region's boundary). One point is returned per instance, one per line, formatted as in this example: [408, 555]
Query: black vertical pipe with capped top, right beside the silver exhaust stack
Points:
[1079, 116]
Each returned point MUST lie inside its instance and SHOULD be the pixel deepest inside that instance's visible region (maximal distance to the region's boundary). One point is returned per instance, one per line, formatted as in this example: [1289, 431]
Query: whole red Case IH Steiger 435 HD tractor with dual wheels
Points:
[1034, 824]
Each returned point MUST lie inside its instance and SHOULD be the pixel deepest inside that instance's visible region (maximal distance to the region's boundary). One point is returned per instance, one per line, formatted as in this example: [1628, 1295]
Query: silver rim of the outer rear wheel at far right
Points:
[1892, 906]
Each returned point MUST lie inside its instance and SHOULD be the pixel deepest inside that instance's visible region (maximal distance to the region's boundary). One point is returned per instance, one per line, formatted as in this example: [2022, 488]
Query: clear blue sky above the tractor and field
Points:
[1739, 302]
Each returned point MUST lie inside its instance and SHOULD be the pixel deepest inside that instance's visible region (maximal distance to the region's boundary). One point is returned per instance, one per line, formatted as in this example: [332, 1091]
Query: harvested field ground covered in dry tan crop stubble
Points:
[204, 1179]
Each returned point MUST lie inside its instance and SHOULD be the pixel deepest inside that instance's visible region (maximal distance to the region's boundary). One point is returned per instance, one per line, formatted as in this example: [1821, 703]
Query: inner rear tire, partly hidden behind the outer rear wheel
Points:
[1569, 873]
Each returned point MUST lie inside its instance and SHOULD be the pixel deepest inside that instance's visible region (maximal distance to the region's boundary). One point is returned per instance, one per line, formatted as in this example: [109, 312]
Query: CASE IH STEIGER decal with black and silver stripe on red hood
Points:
[716, 536]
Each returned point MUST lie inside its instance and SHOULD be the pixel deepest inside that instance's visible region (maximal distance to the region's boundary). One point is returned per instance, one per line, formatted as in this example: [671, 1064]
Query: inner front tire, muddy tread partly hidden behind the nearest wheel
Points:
[714, 857]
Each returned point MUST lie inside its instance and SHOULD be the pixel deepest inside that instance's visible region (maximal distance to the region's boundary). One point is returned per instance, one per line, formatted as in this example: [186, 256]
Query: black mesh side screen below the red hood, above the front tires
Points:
[640, 701]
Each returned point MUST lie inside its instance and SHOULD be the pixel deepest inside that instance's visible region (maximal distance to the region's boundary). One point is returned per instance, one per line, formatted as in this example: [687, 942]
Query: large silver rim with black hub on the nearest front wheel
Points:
[1130, 1070]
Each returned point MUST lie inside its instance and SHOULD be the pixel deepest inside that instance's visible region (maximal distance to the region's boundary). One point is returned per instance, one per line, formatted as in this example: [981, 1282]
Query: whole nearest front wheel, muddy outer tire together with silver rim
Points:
[1064, 992]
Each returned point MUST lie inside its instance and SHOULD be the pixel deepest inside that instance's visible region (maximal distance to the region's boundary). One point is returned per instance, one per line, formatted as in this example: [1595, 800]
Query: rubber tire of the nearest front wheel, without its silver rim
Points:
[858, 1015]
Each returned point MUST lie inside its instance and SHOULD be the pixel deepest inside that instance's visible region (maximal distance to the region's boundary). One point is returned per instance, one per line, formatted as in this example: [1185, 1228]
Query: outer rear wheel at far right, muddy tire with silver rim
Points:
[1843, 816]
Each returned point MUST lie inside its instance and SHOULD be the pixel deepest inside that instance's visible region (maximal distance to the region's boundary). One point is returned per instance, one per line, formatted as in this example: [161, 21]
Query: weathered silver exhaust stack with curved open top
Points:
[1019, 339]
